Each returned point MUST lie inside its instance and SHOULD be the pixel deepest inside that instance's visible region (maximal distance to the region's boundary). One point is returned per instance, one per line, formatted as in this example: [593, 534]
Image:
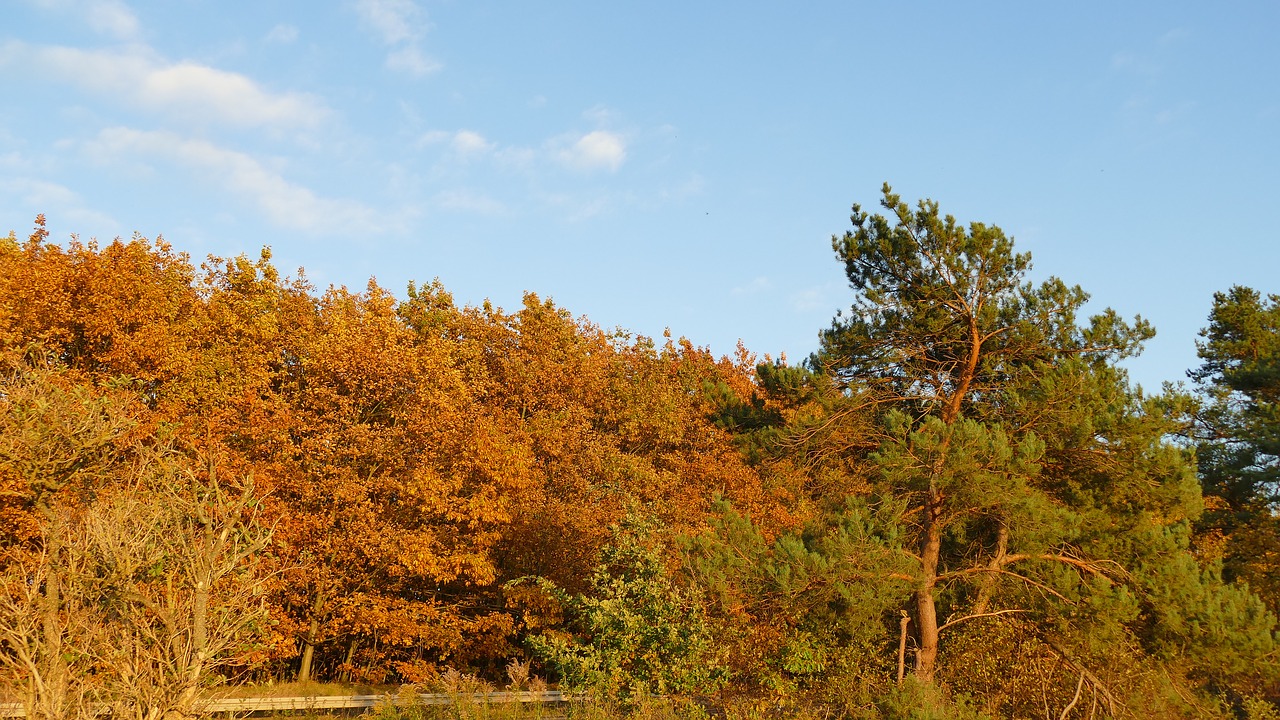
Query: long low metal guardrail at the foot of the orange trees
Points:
[246, 705]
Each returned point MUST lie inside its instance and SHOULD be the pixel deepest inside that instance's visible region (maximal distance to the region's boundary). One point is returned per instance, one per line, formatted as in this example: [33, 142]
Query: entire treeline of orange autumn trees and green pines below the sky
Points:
[958, 507]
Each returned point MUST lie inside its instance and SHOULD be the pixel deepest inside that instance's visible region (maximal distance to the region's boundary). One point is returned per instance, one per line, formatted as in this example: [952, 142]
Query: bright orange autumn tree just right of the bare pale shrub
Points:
[394, 489]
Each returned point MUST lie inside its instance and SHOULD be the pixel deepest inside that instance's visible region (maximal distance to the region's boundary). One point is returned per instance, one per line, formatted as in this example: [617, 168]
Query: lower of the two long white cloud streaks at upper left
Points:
[285, 204]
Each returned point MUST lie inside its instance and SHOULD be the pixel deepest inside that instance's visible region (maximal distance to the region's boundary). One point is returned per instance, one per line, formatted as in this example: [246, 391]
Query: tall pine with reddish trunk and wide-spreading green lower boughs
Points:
[1036, 493]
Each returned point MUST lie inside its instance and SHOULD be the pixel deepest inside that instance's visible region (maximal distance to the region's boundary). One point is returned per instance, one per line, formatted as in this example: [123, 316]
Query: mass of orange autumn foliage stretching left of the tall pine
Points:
[415, 455]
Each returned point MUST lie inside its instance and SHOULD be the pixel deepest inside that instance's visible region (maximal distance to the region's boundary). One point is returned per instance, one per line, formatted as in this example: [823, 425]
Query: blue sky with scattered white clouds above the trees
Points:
[662, 165]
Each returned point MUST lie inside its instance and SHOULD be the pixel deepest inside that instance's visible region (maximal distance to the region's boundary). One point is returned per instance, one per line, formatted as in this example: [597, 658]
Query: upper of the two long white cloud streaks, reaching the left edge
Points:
[188, 90]
